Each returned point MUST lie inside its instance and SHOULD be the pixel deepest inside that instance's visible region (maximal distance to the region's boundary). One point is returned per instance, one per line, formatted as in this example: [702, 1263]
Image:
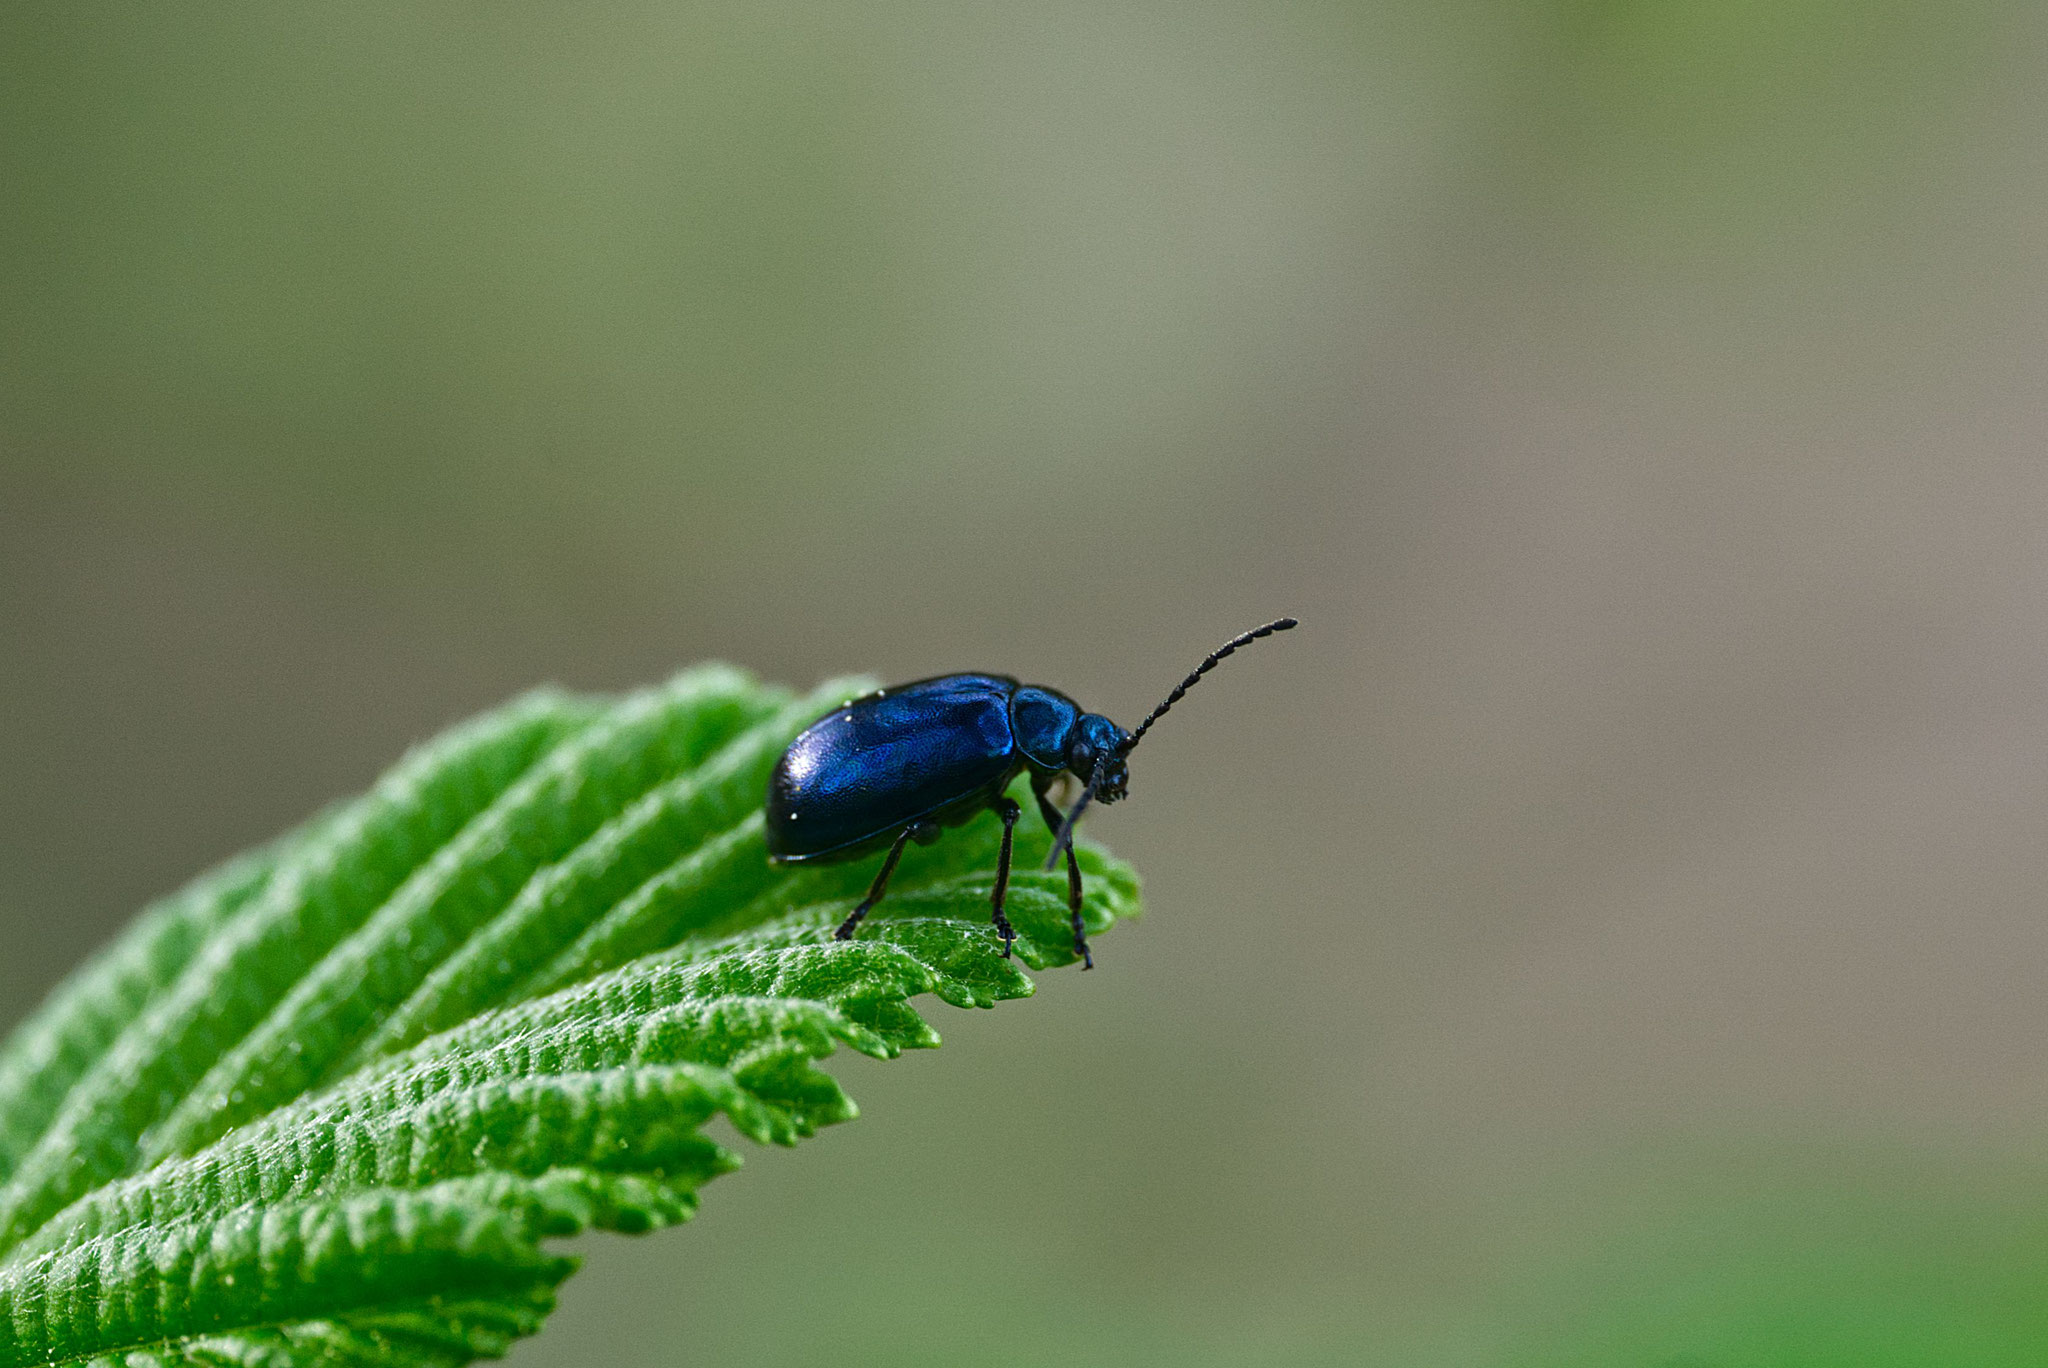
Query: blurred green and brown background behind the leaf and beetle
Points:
[1611, 933]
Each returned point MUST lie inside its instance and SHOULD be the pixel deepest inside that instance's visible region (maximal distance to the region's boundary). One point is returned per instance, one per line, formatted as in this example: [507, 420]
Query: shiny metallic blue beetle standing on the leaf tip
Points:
[906, 763]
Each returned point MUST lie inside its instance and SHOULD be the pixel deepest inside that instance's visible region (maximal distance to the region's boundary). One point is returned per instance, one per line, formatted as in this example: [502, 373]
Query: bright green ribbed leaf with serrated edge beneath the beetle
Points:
[331, 1103]
